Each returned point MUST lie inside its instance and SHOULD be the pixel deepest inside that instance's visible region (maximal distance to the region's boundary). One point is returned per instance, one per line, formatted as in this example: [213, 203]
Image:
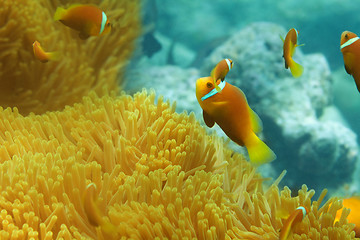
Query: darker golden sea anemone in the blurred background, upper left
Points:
[84, 65]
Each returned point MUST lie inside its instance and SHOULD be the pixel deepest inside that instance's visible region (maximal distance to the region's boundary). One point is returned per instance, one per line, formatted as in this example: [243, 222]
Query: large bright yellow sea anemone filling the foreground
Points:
[124, 166]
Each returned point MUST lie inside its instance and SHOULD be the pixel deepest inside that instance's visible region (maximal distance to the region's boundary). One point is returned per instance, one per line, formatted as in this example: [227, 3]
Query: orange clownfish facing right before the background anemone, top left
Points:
[89, 20]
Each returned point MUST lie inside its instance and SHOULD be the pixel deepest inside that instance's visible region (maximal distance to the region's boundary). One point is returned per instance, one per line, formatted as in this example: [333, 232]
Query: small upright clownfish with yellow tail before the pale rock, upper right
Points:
[290, 43]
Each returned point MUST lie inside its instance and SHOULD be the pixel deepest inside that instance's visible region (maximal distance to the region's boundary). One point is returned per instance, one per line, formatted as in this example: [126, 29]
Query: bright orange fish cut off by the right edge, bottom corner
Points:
[353, 204]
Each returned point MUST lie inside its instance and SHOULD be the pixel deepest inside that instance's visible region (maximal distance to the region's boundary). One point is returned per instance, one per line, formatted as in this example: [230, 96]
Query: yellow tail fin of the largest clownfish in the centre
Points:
[259, 152]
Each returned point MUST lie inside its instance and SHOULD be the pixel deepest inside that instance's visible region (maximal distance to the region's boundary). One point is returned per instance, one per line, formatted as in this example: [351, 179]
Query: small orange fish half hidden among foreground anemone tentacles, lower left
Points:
[93, 212]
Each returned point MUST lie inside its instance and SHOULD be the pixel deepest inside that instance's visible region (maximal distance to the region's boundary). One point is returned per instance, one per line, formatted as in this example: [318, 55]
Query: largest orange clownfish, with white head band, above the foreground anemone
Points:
[230, 110]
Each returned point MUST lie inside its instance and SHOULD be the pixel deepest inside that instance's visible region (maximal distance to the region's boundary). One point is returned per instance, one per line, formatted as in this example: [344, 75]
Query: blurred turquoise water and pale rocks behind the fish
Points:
[311, 123]
